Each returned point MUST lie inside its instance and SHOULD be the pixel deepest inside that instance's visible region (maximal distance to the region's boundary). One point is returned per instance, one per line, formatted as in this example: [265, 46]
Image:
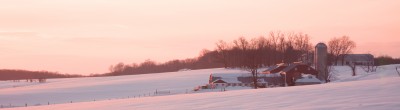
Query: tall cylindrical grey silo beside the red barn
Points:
[321, 59]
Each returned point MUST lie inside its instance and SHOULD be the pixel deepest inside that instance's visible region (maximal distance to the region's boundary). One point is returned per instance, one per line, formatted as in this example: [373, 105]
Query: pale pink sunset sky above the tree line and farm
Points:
[87, 36]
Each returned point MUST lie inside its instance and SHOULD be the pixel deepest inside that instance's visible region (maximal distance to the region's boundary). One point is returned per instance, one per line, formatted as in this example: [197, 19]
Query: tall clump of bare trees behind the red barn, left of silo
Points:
[277, 47]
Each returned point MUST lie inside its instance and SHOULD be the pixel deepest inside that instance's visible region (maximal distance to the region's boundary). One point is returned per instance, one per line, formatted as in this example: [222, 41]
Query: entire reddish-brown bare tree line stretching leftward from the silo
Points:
[248, 54]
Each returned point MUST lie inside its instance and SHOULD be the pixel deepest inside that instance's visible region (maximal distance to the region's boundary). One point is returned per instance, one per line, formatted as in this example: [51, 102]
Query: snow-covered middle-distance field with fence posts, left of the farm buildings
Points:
[56, 91]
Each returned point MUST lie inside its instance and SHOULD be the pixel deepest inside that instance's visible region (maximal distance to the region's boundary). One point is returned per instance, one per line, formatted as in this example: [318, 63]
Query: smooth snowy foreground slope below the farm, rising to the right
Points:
[379, 94]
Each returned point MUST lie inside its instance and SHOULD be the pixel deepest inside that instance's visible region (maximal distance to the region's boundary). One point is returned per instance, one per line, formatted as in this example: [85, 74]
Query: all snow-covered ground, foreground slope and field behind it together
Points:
[376, 90]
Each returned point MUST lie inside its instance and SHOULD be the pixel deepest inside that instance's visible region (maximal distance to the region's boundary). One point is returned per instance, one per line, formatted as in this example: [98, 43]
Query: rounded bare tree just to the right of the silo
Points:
[340, 47]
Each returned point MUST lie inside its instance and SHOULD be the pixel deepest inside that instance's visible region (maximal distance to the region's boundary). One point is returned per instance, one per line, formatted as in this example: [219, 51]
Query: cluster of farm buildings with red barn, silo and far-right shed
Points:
[304, 72]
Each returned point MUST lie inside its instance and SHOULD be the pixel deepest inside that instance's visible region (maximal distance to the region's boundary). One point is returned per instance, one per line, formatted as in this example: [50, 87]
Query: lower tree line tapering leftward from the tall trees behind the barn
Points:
[205, 60]
